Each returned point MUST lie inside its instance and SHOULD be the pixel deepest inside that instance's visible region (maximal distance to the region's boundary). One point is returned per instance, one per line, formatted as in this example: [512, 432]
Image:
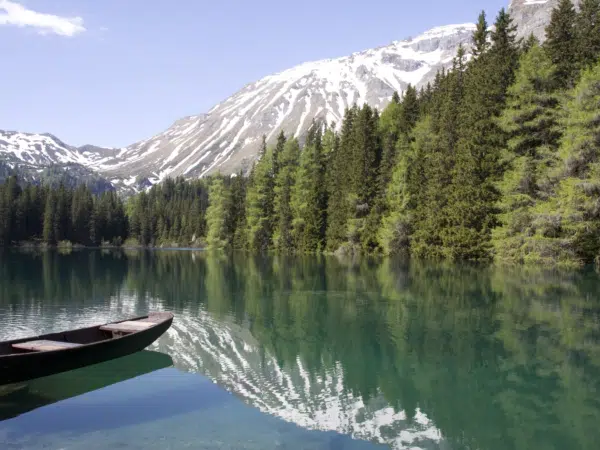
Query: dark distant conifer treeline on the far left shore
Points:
[53, 215]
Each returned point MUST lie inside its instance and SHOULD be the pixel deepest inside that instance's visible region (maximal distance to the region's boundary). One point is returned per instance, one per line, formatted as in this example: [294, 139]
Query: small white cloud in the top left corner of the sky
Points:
[12, 13]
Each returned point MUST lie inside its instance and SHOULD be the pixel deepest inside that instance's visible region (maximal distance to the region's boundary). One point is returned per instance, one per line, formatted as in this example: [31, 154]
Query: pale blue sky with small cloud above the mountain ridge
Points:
[113, 72]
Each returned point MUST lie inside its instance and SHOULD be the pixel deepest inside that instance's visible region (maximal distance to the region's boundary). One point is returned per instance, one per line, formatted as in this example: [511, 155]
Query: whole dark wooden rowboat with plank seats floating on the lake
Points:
[49, 354]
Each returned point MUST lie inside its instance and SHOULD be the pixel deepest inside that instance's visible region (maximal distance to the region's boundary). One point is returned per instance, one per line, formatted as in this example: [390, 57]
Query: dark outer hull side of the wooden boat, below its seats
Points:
[29, 366]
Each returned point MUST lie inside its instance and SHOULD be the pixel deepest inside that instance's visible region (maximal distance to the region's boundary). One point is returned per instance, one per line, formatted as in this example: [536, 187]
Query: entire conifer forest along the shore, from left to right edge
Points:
[498, 159]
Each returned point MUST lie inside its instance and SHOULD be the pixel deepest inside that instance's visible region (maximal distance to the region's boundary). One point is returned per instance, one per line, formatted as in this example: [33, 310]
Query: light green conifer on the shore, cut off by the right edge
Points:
[565, 227]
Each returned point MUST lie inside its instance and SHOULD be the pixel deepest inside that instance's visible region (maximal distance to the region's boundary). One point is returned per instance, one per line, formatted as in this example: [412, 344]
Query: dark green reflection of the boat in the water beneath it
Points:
[25, 397]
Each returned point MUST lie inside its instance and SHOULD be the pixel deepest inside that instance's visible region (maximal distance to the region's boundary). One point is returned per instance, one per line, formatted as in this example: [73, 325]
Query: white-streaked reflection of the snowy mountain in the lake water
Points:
[228, 354]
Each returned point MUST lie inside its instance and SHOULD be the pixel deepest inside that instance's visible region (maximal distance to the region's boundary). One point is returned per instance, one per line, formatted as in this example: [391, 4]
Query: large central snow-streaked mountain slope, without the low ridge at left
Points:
[228, 137]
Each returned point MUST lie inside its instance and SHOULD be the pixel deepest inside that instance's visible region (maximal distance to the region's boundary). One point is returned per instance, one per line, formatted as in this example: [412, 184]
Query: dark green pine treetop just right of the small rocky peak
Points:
[561, 43]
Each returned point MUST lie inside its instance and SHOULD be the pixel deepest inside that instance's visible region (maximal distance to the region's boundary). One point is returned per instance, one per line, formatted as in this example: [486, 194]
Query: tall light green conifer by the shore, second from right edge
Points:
[531, 123]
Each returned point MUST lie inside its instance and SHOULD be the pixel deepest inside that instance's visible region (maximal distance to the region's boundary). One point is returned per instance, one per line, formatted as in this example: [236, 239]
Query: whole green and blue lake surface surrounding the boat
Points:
[308, 353]
